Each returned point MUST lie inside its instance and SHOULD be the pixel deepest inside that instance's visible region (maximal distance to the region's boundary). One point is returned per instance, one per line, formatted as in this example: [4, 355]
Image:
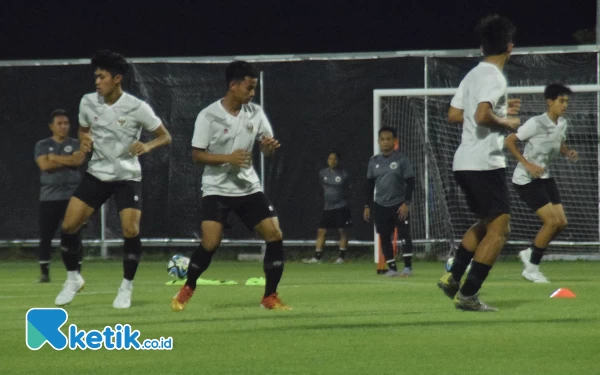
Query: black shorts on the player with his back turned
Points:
[486, 191]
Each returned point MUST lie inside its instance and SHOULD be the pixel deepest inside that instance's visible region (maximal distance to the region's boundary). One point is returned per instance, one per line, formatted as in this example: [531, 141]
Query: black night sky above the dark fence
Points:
[40, 30]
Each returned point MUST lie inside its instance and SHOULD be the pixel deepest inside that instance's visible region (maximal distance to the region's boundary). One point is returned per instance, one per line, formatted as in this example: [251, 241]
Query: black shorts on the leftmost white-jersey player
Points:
[94, 192]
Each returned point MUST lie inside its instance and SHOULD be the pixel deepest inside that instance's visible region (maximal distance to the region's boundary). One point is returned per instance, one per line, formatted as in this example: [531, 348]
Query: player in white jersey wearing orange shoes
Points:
[224, 136]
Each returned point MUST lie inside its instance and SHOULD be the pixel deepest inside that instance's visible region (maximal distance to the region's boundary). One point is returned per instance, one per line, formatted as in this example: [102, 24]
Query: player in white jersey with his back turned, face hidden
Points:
[481, 105]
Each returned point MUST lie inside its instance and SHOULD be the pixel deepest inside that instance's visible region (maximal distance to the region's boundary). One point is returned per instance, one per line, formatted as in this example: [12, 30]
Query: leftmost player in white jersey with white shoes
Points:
[111, 122]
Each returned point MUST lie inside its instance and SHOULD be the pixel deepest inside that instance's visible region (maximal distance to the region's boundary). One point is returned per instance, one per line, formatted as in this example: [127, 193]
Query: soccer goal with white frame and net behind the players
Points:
[439, 214]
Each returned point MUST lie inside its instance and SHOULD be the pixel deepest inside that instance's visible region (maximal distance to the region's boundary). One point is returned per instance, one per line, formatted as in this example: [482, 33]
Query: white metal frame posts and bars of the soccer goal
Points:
[427, 92]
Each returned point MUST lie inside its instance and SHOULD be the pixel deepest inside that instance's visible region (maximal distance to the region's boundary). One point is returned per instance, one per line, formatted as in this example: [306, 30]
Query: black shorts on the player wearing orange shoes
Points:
[251, 209]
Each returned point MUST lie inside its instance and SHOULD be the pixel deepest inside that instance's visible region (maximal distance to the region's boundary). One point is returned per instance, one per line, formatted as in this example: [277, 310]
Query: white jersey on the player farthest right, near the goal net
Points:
[544, 139]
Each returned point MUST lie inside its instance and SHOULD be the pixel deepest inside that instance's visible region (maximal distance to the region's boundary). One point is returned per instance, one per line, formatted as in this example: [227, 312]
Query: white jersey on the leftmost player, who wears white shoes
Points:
[114, 129]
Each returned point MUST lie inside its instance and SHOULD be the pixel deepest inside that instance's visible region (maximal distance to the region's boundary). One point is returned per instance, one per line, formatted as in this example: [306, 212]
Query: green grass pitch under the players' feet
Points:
[345, 320]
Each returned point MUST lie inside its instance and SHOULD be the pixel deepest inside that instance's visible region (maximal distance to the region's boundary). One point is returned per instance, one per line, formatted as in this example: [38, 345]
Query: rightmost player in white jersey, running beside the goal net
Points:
[545, 136]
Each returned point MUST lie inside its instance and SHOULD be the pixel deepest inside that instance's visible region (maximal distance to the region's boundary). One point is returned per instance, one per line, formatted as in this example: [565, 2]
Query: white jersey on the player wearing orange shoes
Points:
[219, 132]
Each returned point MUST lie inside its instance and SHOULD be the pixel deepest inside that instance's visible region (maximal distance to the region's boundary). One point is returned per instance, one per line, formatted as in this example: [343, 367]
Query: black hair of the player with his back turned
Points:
[495, 33]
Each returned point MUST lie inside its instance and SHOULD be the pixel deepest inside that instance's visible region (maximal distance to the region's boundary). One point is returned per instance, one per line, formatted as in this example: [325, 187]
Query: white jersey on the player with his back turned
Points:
[480, 147]
